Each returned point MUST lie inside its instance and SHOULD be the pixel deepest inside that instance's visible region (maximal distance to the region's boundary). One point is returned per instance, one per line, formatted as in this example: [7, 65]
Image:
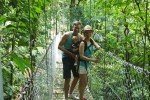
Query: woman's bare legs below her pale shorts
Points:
[82, 85]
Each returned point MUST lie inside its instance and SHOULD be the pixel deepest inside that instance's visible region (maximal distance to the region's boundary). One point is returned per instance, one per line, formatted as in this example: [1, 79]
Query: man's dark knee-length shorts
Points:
[68, 66]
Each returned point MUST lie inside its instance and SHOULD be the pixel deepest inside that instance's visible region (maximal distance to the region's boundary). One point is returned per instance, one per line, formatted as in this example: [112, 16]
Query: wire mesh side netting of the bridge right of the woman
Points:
[116, 79]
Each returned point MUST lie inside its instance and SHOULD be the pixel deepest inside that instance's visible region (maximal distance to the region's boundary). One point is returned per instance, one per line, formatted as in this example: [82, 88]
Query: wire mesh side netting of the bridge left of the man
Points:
[40, 85]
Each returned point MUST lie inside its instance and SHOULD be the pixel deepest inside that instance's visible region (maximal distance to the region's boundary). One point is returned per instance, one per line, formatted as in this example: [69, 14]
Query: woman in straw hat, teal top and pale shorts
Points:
[86, 49]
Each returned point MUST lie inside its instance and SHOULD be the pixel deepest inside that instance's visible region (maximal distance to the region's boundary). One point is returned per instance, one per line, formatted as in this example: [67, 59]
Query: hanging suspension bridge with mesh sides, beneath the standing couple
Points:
[46, 83]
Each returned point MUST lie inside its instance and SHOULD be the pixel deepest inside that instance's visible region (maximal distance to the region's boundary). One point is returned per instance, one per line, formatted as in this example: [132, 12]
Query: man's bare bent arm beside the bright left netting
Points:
[61, 45]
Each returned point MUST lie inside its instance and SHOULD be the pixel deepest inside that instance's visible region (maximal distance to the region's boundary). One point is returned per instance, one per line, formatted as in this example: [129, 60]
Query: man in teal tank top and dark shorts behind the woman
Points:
[68, 59]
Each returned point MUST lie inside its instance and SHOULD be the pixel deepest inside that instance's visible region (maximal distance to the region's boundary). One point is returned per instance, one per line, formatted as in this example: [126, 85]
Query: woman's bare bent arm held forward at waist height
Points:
[81, 53]
